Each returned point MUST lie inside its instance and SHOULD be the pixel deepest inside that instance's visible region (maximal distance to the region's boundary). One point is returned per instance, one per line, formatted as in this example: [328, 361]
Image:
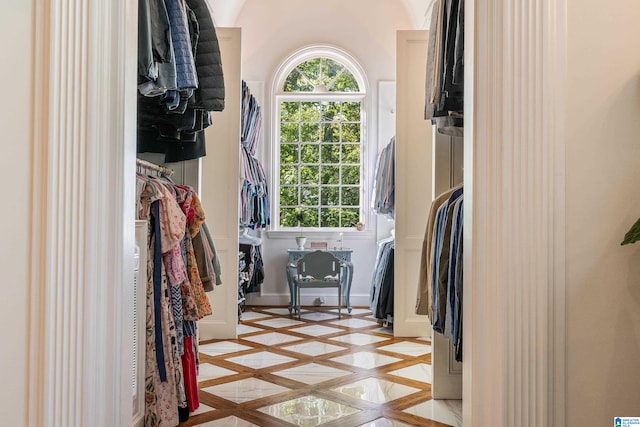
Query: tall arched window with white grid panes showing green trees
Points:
[319, 132]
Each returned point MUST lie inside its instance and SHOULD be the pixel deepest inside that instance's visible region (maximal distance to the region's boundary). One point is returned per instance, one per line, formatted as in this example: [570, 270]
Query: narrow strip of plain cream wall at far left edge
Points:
[15, 170]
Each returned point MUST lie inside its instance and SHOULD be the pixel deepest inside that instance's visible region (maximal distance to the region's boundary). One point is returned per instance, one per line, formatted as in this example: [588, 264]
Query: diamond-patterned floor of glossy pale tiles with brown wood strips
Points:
[318, 370]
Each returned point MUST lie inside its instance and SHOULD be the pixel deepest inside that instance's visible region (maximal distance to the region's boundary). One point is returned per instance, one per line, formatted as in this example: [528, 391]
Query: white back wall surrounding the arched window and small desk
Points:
[366, 29]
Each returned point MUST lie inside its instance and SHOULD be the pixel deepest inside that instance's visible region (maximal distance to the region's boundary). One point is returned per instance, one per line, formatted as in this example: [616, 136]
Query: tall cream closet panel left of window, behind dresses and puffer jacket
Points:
[213, 178]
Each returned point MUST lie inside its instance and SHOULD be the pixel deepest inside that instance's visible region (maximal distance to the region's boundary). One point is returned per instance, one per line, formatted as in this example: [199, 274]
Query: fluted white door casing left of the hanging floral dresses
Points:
[82, 231]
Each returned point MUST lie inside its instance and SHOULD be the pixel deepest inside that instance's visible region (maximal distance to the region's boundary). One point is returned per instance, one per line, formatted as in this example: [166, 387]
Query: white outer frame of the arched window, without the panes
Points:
[278, 96]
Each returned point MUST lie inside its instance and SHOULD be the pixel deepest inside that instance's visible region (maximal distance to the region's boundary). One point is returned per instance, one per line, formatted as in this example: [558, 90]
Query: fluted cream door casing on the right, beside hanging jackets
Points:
[514, 325]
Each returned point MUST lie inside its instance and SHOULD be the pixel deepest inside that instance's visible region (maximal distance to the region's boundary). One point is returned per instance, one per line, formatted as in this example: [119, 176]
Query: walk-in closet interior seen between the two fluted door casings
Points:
[345, 146]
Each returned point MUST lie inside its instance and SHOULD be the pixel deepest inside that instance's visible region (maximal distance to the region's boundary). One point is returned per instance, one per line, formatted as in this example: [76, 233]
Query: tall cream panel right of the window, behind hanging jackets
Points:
[413, 181]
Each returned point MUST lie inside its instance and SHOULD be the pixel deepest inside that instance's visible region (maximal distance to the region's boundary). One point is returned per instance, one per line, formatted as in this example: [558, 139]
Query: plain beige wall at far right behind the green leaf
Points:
[603, 201]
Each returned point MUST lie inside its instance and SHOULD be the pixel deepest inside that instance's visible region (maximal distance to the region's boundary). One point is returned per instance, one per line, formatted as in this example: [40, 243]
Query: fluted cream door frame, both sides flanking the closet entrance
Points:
[82, 231]
